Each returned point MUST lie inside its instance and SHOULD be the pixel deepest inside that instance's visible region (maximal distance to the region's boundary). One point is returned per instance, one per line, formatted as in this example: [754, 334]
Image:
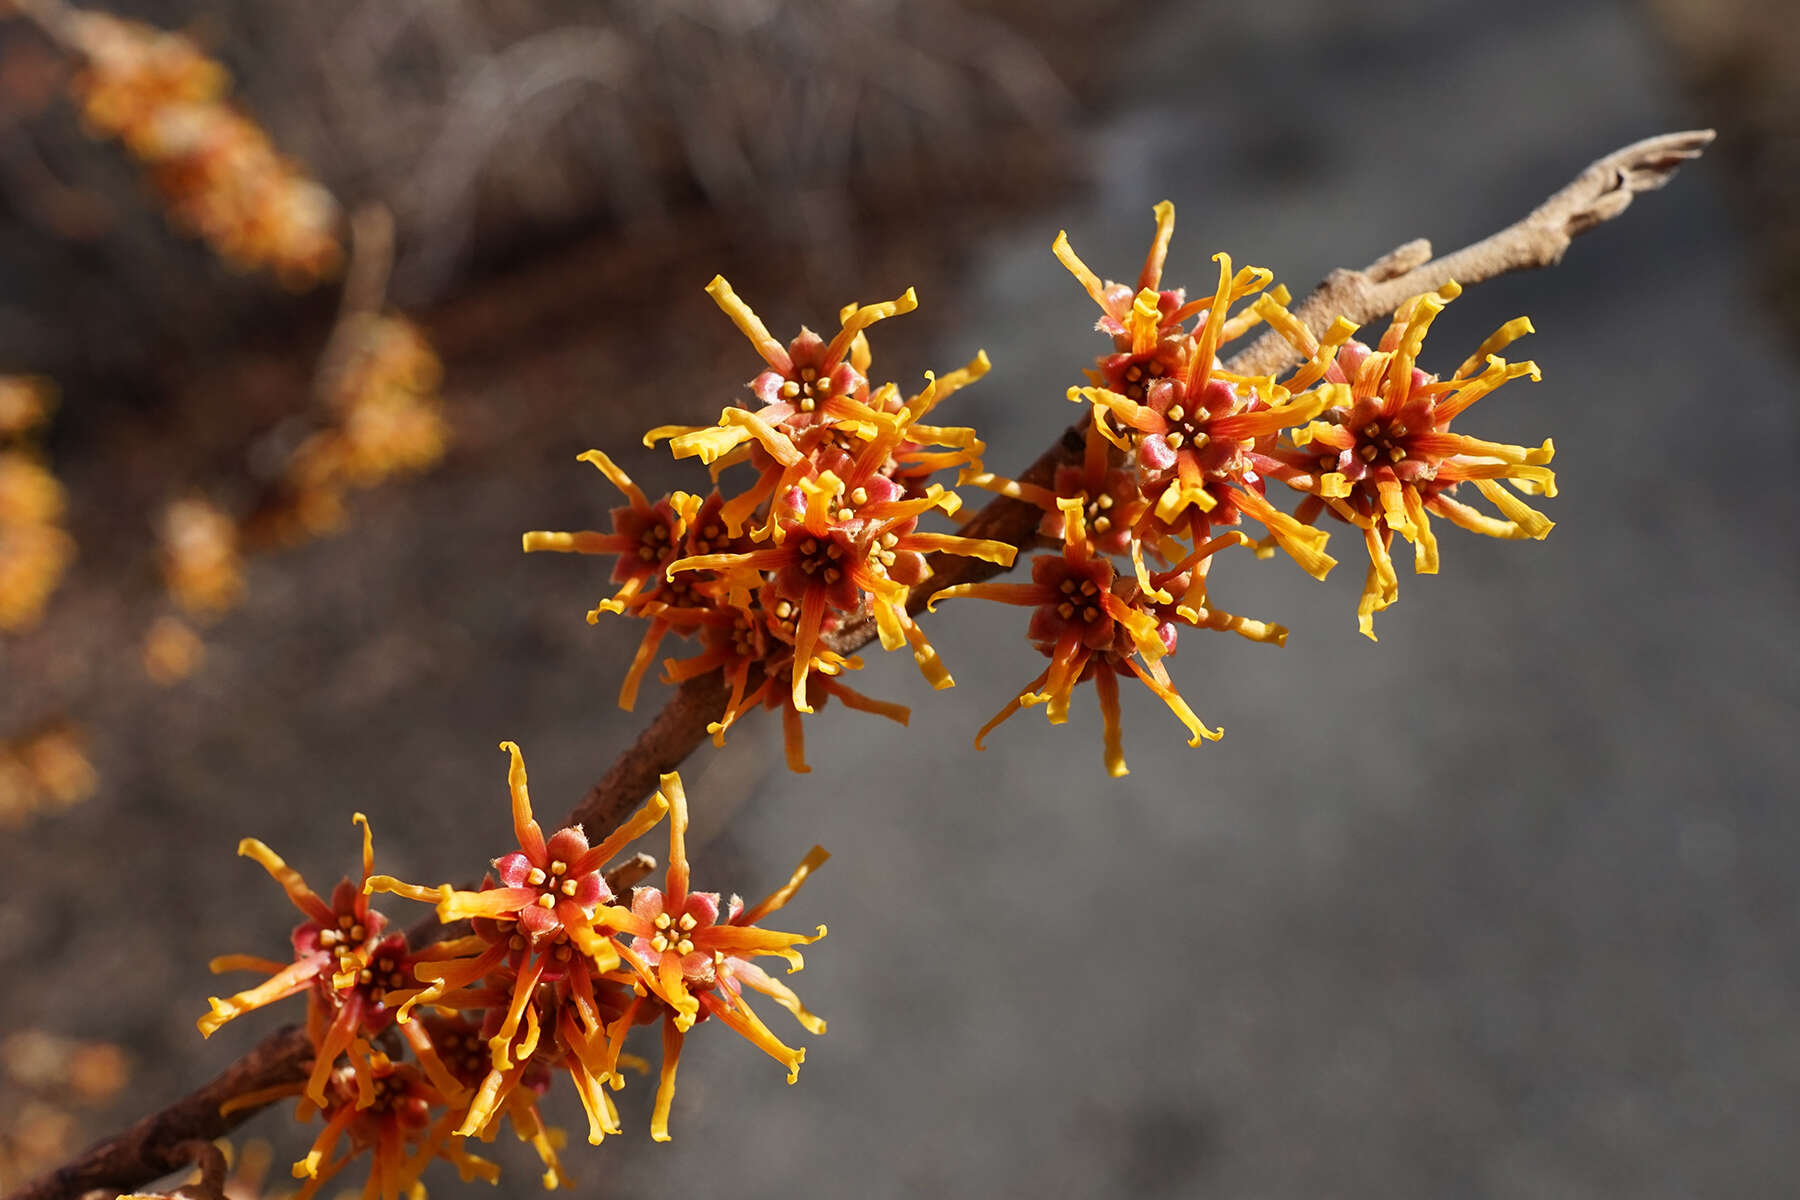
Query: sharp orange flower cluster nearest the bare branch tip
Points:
[1180, 454]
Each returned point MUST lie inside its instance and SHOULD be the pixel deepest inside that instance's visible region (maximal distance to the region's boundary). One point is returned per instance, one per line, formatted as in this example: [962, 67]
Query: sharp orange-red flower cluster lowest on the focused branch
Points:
[422, 1048]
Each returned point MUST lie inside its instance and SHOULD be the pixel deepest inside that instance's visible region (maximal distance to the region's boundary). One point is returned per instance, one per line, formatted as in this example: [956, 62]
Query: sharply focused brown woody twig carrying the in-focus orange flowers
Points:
[1597, 195]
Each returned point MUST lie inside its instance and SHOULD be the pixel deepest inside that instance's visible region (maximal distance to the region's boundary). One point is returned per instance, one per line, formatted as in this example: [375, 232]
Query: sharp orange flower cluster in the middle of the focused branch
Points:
[823, 533]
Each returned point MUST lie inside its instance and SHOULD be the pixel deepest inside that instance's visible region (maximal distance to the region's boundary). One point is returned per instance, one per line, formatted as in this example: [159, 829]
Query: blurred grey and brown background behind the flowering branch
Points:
[1498, 908]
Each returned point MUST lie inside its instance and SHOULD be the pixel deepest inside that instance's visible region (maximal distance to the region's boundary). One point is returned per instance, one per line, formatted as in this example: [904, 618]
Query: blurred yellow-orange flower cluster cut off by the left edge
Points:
[35, 550]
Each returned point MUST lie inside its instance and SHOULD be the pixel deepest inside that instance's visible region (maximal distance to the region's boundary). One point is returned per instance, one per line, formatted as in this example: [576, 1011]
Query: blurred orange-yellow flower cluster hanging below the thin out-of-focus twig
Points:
[384, 418]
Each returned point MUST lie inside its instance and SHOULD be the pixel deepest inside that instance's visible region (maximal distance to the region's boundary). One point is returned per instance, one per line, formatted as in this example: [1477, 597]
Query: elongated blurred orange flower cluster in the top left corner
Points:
[215, 168]
